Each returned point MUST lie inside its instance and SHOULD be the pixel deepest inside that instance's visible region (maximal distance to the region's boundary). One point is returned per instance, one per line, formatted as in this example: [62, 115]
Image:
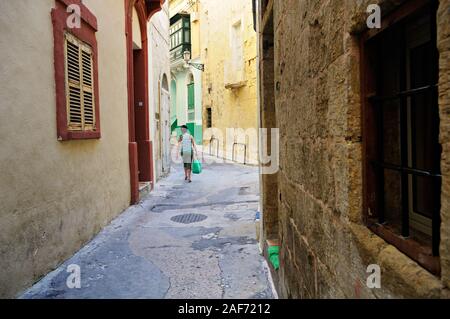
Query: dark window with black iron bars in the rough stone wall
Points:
[401, 133]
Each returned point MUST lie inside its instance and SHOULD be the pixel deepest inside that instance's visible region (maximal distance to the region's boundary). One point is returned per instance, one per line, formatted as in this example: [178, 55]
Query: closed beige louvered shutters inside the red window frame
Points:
[79, 85]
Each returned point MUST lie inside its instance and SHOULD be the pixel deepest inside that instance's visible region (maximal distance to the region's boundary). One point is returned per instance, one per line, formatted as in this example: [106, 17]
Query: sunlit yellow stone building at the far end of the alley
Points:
[228, 49]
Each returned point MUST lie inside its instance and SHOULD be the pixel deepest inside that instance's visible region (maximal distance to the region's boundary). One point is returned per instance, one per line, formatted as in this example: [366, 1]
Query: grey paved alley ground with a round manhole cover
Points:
[183, 241]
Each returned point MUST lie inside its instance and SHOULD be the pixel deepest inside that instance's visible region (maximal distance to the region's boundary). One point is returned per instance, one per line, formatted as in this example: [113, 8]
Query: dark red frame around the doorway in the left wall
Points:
[140, 145]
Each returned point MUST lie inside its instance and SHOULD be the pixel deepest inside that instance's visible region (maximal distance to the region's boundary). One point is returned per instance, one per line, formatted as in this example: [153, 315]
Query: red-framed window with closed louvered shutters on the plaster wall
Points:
[76, 74]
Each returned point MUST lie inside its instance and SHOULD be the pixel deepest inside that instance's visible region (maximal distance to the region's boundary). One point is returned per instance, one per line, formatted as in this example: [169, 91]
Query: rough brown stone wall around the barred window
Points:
[325, 246]
